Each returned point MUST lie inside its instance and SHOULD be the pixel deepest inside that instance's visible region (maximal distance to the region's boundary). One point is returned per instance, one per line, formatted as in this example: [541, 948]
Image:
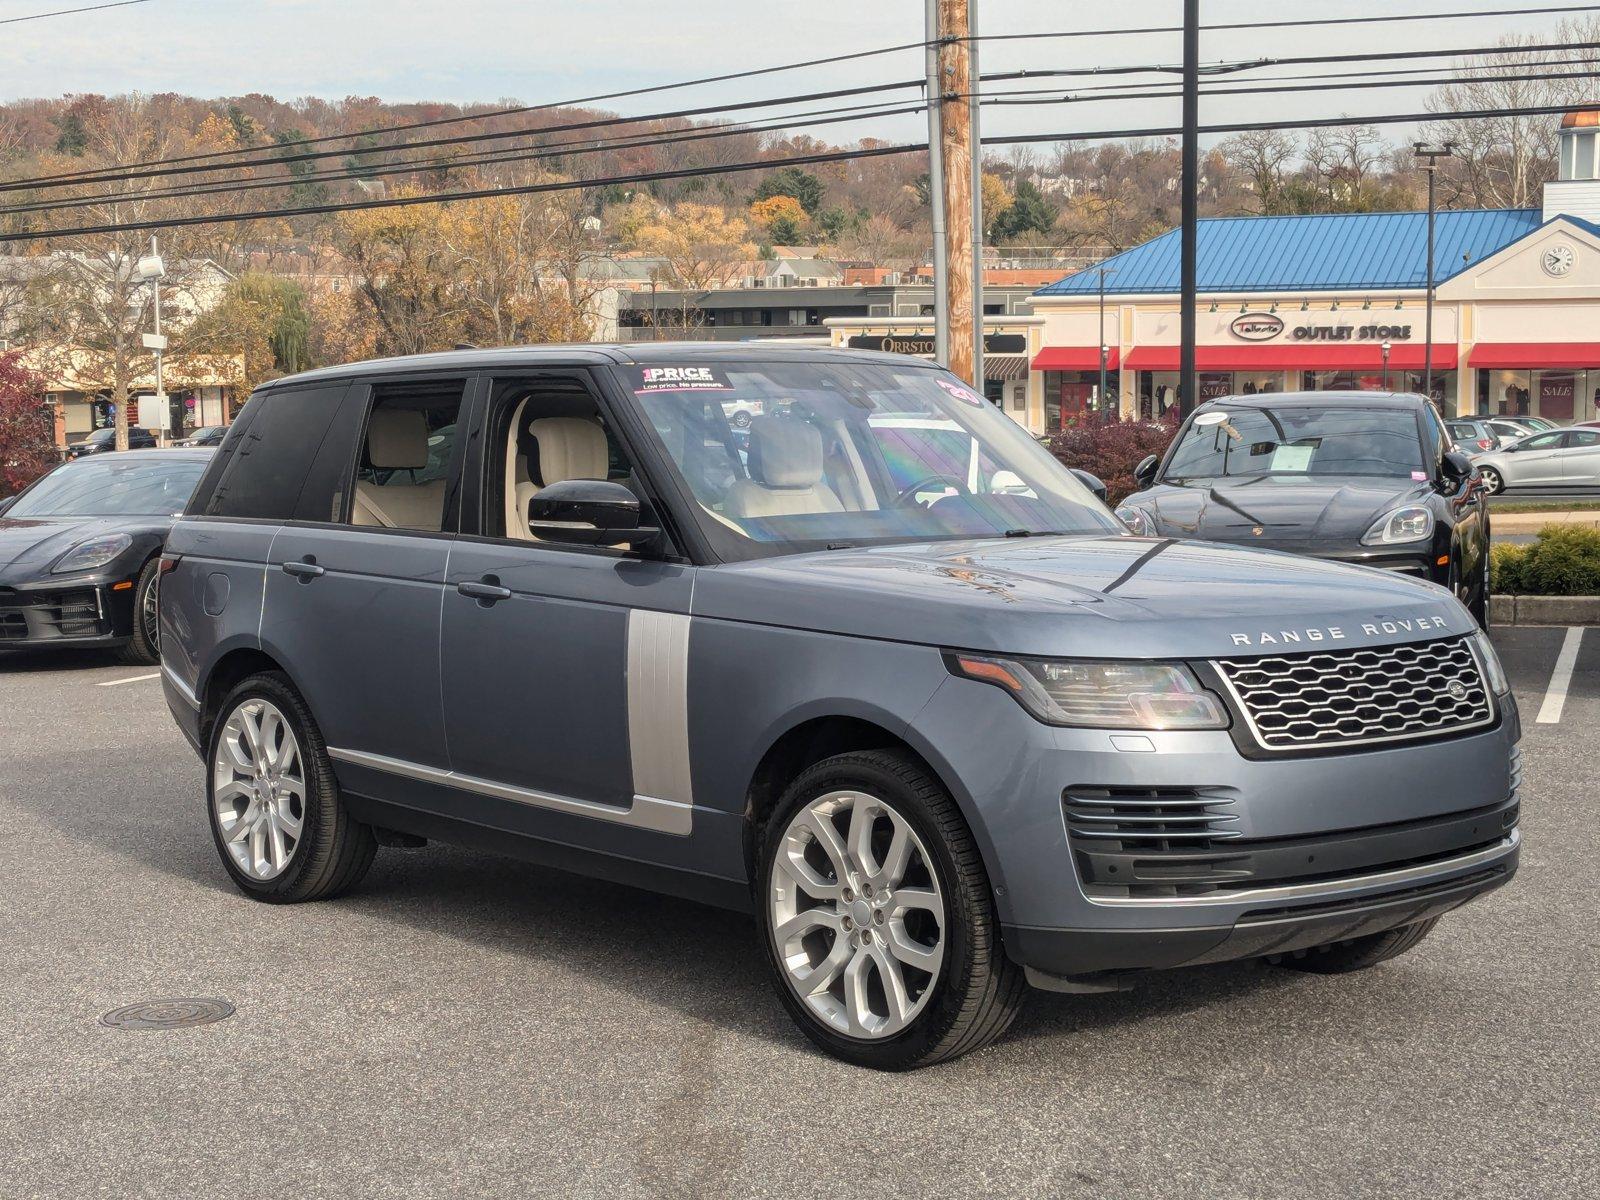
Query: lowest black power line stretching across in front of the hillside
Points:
[769, 164]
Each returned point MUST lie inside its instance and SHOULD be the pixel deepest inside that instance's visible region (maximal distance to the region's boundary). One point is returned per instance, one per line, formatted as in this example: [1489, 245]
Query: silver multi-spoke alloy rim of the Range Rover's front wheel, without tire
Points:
[858, 918]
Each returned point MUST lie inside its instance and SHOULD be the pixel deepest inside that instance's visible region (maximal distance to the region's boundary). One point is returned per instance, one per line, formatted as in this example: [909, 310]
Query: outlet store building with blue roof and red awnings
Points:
[1340, 302]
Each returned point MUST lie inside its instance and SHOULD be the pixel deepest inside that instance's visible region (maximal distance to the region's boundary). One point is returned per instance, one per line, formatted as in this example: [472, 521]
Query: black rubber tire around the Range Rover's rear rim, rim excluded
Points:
[335, 850]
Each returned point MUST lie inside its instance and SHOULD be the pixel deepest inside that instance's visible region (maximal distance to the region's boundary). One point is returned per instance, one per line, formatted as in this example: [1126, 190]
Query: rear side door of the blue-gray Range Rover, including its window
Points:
[354, 583]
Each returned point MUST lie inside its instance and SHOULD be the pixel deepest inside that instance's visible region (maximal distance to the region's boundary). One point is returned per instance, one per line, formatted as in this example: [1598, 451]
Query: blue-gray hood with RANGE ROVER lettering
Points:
[1084, 596]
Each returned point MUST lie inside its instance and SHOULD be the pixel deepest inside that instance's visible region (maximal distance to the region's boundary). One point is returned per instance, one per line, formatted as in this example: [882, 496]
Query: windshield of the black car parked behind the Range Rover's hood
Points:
[1298, 442]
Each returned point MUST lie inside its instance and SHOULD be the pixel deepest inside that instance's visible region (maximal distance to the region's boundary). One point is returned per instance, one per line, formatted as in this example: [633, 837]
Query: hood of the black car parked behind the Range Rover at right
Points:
[1287, 510]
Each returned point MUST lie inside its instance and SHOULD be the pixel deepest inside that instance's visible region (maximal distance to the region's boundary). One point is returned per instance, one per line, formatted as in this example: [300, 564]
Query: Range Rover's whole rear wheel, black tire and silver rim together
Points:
[276, 810]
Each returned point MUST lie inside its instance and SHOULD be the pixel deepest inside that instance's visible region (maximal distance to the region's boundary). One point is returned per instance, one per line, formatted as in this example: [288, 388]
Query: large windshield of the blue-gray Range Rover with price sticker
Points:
[850, 455]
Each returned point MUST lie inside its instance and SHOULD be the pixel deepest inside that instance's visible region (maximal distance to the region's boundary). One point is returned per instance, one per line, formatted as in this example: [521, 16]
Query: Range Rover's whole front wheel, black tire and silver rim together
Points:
[879, 919]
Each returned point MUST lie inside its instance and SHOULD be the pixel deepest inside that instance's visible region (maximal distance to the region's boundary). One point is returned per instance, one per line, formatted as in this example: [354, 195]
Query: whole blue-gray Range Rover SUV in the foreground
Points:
[865, 662]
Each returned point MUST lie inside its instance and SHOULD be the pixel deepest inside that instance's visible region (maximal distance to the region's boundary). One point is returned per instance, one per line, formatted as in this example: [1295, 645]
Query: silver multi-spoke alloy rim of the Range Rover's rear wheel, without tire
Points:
[258, 790]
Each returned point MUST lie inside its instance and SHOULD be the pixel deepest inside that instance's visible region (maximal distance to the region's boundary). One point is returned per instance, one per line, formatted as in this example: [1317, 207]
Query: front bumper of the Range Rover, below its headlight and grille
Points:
[1326, 846]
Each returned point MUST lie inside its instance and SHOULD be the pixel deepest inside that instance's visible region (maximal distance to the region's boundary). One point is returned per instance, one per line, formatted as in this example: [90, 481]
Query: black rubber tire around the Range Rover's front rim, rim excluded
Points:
[980, 991]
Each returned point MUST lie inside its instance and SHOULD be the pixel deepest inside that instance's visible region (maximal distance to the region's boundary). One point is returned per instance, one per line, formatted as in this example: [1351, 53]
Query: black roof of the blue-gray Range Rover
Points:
[596, 354]
